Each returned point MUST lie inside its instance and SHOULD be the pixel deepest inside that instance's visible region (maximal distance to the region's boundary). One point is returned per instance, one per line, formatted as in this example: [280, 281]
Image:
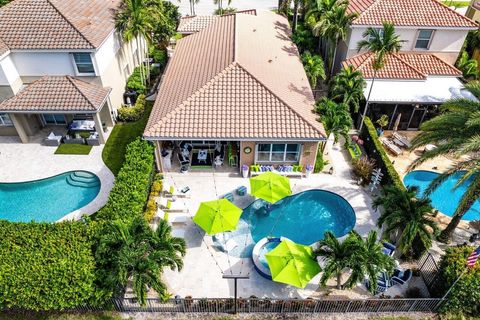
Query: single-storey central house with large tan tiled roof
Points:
[239, 85]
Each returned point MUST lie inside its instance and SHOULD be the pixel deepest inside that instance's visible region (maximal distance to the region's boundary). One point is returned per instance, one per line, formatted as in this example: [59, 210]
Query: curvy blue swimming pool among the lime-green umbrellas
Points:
[302, 218]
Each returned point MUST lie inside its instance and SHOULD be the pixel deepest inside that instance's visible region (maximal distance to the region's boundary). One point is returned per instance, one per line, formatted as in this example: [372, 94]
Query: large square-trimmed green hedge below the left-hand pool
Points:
[46, 266]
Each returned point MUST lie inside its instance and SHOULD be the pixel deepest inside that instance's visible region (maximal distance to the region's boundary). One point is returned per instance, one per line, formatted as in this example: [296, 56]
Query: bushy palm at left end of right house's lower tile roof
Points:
[348, 87]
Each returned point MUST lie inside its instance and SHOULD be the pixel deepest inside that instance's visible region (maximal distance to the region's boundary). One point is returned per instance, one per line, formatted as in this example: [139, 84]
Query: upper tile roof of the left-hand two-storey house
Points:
[56, 24]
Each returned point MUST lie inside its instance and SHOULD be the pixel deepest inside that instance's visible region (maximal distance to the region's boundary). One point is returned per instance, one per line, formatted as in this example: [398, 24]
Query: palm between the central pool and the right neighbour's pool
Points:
[406, 218]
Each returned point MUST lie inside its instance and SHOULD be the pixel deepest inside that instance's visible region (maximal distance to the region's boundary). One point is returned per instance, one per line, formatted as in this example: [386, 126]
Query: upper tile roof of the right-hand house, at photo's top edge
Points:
[419, 13]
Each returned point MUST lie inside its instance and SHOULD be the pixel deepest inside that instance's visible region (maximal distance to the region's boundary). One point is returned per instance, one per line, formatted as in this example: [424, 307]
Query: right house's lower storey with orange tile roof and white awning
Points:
[410, 87]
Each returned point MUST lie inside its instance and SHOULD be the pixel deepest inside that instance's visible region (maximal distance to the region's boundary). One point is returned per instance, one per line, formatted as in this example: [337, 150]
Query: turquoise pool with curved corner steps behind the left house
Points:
[49, 199]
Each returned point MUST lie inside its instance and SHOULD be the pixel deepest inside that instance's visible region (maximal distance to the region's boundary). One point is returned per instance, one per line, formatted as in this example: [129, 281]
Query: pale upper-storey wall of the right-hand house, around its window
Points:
[445, 43]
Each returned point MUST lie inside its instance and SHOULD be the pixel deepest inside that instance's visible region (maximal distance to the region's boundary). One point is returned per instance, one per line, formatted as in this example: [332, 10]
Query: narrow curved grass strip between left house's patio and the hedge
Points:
[122, 134]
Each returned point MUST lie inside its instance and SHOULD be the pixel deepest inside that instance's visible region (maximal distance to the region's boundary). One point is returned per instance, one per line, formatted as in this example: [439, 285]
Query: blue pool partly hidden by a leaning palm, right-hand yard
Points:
[445, 199]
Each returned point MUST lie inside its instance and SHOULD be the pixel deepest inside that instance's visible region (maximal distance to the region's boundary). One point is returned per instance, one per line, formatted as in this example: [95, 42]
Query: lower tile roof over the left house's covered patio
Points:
[57, 93]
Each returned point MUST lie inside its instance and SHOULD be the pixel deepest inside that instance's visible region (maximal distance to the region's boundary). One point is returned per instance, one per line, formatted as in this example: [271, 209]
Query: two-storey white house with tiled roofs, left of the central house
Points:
[53, 54]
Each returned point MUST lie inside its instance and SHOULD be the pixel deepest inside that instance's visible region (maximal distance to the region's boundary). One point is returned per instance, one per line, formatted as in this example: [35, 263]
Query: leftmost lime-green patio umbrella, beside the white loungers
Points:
[217, 216]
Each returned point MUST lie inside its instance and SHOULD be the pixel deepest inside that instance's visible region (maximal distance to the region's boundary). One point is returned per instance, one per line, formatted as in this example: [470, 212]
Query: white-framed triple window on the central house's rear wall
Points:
[278, 152]
